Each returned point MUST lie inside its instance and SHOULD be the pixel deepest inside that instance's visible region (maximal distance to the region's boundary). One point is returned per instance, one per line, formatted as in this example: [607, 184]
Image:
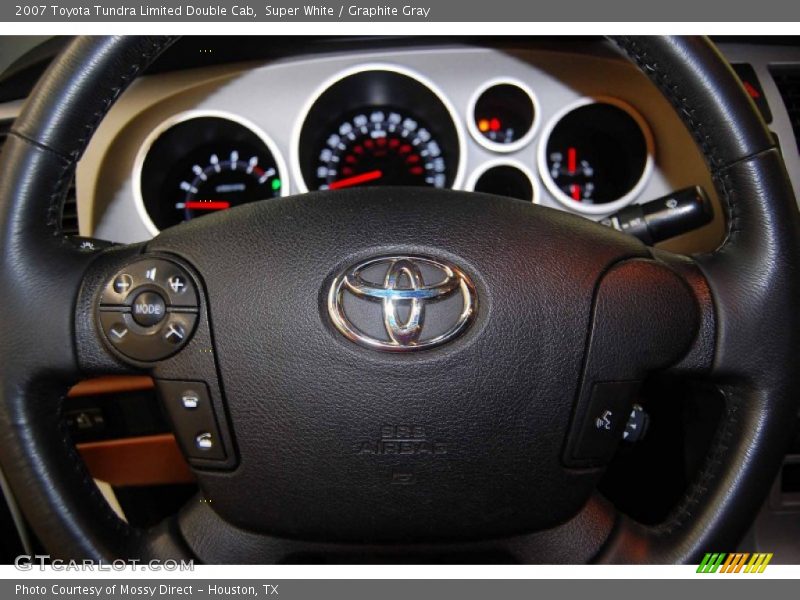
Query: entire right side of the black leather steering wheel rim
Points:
[754, 281]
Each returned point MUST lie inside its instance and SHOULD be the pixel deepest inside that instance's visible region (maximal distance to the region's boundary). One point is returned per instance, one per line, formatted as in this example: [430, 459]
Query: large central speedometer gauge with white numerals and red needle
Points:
[379, 126]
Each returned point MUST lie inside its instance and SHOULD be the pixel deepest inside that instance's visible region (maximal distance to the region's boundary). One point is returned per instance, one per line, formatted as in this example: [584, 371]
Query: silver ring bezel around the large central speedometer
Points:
[297, 171]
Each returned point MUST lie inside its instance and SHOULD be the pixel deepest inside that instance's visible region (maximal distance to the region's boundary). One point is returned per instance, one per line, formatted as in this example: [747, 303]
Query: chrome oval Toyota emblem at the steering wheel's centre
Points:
[401, 303]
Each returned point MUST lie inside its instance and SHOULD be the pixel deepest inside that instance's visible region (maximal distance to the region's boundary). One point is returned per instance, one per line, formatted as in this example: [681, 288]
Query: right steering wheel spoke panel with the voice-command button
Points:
[646, 317]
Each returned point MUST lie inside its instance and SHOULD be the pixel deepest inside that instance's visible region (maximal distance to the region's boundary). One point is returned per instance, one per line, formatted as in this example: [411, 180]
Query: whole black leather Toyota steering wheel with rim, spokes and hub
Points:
[396, 372]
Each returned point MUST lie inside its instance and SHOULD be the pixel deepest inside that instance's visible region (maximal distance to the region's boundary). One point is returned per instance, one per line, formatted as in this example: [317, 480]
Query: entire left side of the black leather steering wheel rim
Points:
[41, 274]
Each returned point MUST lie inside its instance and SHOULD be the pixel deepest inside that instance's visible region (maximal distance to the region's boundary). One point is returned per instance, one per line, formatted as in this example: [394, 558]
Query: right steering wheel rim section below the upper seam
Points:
[753, 278]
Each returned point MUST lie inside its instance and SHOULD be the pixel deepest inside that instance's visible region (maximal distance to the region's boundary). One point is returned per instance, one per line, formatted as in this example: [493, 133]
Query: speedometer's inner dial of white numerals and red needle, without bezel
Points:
[380, 147]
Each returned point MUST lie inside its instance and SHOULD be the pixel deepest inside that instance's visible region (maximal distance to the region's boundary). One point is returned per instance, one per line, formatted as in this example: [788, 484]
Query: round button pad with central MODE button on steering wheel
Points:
[148, 310]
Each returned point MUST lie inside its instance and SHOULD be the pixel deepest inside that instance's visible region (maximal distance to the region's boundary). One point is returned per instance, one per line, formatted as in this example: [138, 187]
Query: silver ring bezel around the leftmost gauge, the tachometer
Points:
[188, 115]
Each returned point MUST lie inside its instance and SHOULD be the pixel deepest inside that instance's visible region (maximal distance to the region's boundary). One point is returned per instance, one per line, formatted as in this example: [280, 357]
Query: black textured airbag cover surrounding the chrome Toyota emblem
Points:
[304, 401]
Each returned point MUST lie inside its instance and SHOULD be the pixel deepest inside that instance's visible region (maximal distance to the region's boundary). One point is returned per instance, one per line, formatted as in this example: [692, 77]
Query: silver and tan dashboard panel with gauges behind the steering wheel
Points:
[573, 128]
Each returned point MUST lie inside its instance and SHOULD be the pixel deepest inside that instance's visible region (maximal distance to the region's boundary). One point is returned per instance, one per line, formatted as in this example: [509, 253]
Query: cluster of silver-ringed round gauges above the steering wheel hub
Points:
[386, 125]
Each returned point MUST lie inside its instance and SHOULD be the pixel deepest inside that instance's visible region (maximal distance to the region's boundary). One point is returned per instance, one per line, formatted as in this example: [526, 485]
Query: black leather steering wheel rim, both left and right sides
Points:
[751, 280]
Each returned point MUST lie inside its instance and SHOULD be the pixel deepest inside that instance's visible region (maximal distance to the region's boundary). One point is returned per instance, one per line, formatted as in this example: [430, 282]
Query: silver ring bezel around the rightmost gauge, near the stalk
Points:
[609, 207]
